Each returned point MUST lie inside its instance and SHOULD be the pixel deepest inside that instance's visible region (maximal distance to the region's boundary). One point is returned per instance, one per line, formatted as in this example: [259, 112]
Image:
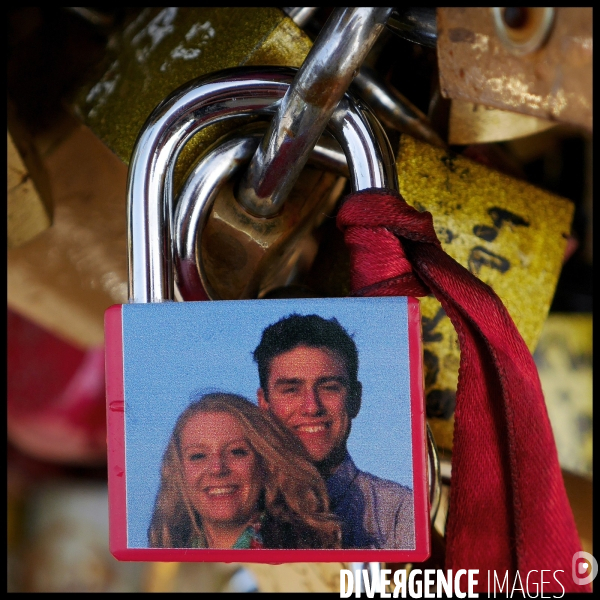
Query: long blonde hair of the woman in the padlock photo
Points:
[294, 499]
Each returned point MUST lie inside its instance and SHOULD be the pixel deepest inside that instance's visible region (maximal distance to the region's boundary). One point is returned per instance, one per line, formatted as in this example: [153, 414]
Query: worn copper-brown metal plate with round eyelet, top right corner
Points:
[554, 82]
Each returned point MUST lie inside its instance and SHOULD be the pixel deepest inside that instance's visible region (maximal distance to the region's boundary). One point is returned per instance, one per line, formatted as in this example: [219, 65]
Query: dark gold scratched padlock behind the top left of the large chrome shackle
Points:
[165, 48]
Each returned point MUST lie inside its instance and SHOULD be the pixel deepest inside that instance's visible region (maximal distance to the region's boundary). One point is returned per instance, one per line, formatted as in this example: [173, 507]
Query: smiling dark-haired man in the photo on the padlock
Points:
[308, 371]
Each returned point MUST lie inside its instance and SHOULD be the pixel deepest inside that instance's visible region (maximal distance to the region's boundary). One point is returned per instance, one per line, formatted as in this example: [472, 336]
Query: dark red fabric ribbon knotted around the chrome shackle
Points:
[508, 510]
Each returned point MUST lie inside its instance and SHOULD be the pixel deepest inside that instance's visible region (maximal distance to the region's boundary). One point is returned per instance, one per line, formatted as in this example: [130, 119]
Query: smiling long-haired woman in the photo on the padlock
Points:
[232, 478]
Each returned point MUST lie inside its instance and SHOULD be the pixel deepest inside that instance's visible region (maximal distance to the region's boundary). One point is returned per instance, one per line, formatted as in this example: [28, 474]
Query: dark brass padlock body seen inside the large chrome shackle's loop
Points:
[247, 256]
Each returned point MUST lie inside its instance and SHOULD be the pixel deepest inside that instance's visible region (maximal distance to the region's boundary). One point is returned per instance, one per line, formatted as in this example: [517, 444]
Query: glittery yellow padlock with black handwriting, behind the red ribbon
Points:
[509, 233]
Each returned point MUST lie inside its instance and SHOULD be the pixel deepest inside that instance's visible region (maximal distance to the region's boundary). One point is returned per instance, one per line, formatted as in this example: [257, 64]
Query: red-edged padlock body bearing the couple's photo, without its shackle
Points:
[267, 431]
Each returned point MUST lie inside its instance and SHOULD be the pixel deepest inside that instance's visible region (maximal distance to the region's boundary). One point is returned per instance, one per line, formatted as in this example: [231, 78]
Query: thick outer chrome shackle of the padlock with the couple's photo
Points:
[205, 101]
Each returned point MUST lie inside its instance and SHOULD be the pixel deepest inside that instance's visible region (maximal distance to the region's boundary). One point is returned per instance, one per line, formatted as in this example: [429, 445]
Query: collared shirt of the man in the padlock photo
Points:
[374, 512]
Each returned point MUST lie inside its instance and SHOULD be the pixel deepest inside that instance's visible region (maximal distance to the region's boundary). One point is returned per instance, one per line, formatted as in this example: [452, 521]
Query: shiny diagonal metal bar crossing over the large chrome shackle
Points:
[325, 75]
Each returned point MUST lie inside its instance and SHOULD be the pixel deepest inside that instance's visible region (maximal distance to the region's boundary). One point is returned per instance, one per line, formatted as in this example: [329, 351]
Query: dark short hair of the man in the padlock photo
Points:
[305, 330]
